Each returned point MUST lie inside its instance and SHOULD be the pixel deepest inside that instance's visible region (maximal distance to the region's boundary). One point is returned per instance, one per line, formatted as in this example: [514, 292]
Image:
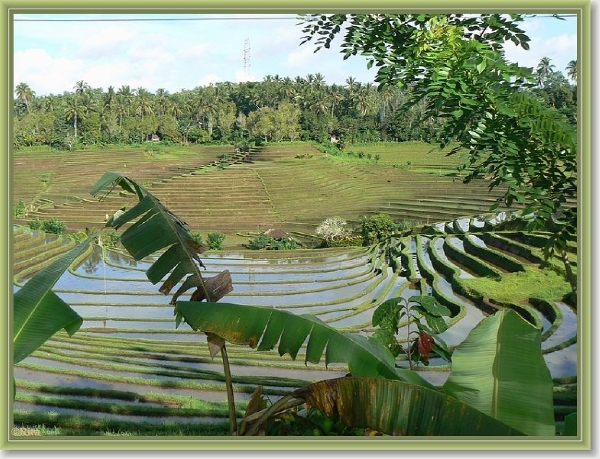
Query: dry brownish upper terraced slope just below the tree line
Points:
[293, 187]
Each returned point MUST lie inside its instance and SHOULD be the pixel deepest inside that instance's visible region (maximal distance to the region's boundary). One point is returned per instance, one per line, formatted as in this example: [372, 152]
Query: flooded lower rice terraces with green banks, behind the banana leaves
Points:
[129, 346]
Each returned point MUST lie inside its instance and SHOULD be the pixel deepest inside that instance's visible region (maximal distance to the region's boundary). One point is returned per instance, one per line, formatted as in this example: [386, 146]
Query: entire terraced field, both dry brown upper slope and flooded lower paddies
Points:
[129, 367]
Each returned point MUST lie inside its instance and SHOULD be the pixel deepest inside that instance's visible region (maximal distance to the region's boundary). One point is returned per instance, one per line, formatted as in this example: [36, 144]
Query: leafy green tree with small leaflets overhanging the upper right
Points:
[456, 63]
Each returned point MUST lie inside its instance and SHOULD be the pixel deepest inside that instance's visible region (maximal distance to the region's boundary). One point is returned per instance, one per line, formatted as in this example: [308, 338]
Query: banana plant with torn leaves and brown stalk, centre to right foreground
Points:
[492, 342]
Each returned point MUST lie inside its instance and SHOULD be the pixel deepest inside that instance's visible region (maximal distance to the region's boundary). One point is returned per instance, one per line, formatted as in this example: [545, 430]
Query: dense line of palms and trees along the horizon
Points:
[275, 109]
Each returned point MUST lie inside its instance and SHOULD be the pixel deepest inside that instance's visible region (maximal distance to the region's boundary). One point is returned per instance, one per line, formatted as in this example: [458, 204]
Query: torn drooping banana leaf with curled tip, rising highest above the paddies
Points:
[156, 228]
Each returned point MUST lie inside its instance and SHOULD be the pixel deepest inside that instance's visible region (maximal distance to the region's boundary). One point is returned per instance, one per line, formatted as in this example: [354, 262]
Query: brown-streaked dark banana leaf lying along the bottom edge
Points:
[399, 408]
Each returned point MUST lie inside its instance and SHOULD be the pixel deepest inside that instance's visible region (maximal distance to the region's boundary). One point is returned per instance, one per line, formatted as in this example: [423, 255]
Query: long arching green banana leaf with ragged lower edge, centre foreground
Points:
[264, 328]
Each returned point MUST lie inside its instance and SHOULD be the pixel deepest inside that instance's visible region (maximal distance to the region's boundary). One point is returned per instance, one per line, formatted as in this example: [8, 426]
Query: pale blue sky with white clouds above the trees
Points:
[175, 52]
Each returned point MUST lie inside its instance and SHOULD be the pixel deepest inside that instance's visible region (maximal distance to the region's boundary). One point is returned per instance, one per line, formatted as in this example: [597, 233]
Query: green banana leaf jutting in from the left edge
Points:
[38, 312]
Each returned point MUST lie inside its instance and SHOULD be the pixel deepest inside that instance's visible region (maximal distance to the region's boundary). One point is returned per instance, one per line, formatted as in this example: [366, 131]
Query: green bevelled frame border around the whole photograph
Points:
[584, 10]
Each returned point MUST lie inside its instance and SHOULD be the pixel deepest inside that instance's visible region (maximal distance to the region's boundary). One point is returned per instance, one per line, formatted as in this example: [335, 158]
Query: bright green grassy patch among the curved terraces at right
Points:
[520, 286]
